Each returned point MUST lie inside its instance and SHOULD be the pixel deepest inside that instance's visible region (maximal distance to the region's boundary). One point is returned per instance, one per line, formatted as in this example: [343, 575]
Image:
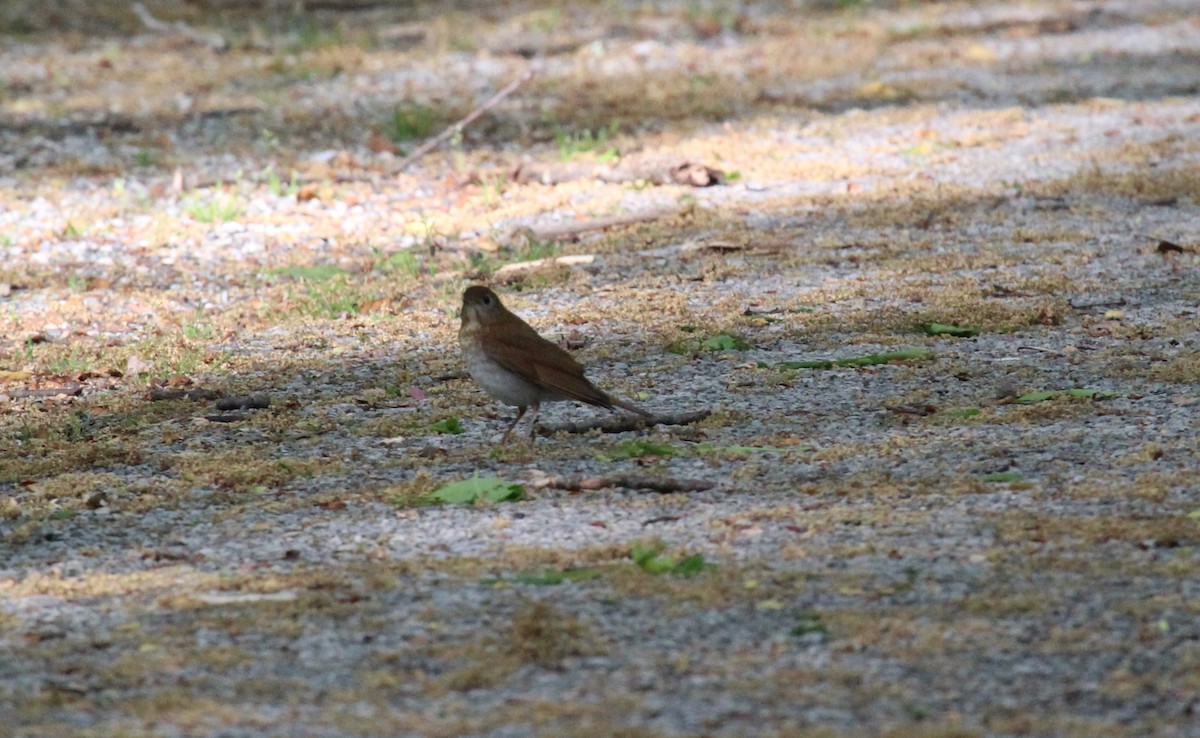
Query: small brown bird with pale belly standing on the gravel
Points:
[517, 367]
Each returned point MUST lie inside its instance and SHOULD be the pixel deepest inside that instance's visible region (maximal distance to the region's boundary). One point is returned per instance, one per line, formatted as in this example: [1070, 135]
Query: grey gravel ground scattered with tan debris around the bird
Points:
[922, 548]
